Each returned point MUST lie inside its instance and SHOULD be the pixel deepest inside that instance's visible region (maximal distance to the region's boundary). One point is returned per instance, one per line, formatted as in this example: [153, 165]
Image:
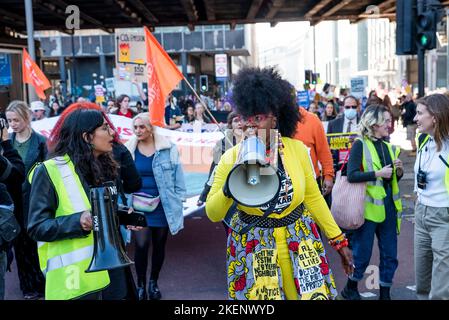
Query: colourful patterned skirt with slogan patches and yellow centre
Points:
[285, 263]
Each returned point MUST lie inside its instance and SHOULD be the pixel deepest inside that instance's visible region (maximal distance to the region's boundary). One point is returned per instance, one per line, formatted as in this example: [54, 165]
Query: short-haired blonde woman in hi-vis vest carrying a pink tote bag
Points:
[381, 171]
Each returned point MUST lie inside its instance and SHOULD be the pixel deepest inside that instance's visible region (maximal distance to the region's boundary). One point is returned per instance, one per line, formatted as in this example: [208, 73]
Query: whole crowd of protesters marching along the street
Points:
[275, 246]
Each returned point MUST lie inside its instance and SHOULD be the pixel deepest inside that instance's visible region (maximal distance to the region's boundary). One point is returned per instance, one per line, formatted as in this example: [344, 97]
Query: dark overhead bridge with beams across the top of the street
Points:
[110, 14]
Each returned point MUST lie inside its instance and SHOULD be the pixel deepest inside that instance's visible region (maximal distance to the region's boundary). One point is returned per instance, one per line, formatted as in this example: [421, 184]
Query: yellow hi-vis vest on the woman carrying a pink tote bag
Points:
[375, 192]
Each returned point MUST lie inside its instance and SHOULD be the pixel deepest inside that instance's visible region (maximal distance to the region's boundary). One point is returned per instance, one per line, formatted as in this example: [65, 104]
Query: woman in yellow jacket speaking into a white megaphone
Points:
[274, 250]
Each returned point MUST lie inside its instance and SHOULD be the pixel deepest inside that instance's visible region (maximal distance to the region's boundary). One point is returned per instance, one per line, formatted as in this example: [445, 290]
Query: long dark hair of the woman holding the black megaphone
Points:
[70, 141]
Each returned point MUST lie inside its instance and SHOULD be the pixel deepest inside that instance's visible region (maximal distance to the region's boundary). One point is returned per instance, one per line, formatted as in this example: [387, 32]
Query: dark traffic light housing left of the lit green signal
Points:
[406, 15]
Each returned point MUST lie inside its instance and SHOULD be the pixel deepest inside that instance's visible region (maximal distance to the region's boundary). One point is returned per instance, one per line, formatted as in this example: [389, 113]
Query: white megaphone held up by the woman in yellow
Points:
[252, 181]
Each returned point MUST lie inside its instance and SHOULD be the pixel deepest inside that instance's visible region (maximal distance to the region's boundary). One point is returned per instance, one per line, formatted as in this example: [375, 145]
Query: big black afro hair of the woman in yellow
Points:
[261, 91]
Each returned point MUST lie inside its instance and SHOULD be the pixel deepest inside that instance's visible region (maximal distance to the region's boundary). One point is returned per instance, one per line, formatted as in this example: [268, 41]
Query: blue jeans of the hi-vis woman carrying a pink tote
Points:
[362, 244]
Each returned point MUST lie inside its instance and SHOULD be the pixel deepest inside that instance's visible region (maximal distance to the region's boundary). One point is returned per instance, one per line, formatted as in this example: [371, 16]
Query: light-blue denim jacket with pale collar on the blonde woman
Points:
[169, 176]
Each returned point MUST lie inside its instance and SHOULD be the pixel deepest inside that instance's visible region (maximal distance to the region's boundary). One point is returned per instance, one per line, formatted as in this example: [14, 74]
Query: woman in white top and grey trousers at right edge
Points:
[432, 204]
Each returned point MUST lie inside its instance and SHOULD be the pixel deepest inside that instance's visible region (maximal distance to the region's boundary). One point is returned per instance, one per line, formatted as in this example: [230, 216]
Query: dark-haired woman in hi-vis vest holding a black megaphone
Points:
[60, 211]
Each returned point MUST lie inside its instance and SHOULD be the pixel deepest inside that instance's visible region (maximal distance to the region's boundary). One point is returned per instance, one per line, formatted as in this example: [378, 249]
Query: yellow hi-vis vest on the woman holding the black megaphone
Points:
[63, 262]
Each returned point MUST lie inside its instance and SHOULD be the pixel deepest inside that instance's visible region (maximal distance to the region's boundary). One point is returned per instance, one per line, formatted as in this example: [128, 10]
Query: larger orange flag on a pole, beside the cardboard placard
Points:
[163, 77]
